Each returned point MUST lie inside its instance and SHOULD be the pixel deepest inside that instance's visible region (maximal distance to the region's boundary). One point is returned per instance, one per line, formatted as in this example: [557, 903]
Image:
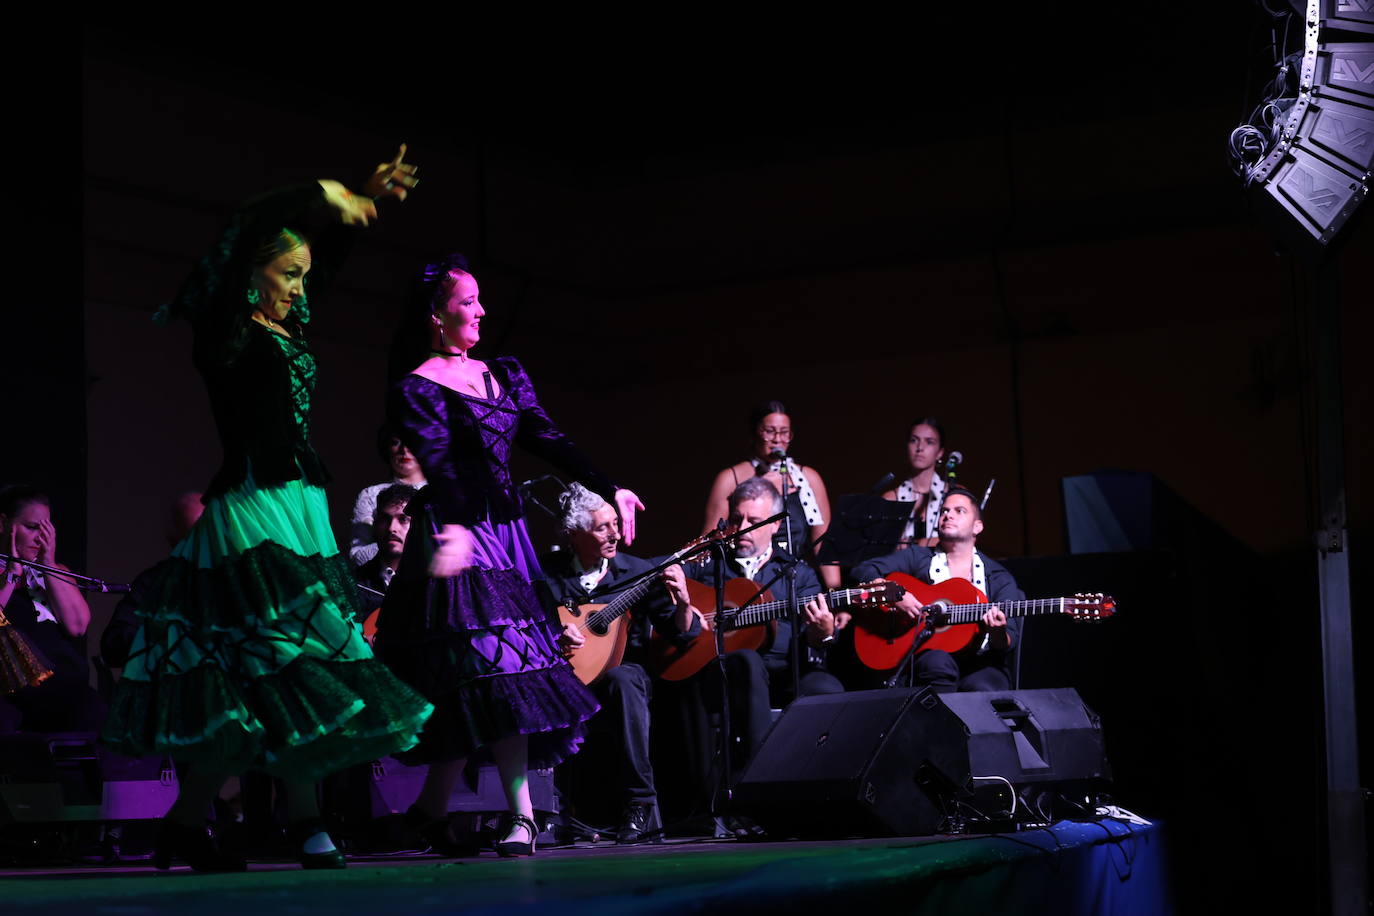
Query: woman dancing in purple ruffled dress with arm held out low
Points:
[462, 621]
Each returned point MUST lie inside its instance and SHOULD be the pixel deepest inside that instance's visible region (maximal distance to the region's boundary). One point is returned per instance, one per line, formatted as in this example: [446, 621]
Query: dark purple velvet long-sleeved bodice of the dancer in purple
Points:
[464, 443]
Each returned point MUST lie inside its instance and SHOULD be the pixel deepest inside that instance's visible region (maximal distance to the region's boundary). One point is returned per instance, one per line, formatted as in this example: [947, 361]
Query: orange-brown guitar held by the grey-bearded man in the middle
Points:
[748, 628]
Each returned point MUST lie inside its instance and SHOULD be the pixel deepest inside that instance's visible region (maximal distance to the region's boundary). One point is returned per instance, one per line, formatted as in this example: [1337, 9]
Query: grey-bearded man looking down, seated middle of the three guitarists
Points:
[761, 680]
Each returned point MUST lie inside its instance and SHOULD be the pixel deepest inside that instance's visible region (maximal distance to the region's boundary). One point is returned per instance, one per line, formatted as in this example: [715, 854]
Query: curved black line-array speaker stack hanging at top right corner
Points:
[1313, 154]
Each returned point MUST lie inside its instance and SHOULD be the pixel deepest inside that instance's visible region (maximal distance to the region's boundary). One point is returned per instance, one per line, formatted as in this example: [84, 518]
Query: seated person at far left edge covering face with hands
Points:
[52, 615]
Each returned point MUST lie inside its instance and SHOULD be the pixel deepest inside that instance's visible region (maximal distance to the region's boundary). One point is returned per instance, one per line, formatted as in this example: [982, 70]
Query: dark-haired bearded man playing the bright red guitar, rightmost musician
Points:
[986, 665]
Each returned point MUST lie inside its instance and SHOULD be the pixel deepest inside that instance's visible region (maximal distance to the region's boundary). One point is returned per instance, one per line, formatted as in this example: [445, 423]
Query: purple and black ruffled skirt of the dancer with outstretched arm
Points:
[483, 649]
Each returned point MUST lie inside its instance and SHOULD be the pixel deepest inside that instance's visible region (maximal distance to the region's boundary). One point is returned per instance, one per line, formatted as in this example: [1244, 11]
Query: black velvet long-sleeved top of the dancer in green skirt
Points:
[259, 382]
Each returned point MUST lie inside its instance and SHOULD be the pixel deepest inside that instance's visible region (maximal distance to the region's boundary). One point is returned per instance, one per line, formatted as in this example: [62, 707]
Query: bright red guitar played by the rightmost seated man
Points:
[950, 619]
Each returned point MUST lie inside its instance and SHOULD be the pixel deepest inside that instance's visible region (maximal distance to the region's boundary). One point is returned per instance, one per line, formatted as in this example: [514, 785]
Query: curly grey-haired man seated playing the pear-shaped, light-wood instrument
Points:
[624, 691]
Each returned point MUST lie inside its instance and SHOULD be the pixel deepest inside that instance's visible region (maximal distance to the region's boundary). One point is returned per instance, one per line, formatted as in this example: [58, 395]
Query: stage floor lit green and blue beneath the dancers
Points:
[1074, 867]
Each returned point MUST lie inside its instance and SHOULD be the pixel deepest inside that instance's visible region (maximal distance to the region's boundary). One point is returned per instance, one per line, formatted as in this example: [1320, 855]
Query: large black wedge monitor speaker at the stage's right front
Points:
[912, 763]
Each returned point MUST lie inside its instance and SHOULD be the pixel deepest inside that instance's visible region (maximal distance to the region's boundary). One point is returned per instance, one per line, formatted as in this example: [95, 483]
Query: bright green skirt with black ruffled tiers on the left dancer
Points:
[249, 653]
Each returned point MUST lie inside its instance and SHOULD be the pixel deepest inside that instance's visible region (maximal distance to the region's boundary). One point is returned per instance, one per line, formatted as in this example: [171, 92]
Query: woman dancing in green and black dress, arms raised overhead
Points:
[248, 657]
